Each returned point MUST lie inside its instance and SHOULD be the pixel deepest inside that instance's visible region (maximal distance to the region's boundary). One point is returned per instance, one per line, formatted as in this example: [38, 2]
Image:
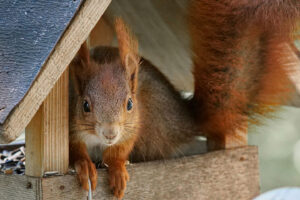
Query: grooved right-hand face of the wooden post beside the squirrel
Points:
[56, 127]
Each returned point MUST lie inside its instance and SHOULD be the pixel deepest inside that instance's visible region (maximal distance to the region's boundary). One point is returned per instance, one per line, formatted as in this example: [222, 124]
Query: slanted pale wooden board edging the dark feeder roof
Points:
[78, 30]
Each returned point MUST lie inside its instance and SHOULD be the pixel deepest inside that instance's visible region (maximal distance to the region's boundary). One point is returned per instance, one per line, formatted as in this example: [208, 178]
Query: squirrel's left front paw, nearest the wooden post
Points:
[86, 169]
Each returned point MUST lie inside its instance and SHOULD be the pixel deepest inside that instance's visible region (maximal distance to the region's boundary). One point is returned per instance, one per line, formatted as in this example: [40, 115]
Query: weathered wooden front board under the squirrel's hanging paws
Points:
[228, 175]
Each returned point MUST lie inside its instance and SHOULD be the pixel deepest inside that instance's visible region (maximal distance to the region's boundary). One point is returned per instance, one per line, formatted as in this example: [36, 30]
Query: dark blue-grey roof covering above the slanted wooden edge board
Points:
[29, 30]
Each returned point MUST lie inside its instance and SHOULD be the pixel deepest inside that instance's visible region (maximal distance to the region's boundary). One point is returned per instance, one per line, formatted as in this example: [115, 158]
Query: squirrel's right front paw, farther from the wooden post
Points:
[118, 176]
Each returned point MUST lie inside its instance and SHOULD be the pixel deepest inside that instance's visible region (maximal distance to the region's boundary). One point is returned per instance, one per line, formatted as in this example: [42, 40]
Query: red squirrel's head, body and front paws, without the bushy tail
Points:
[121, 105]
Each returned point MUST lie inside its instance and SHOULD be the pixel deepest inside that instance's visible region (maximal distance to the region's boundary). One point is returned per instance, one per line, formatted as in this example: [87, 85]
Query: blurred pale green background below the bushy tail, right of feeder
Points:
[278, 142]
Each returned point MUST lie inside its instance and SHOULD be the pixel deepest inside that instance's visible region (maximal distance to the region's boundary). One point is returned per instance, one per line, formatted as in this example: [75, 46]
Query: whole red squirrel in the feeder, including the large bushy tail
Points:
[122, 105]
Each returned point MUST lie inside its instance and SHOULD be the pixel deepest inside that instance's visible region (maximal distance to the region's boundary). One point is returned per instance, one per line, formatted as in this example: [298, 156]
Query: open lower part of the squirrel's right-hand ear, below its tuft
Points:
[132, 66]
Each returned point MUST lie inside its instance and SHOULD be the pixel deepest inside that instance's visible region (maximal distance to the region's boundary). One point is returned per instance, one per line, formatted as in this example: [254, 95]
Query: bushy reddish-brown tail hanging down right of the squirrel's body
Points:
[241, 61]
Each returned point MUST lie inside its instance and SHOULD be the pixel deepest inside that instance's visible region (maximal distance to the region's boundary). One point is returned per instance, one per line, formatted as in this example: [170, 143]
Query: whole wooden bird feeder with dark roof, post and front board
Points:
[38, 40]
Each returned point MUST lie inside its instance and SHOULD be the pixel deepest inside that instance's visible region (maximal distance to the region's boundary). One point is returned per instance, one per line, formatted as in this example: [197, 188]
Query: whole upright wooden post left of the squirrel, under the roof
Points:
[47, 135]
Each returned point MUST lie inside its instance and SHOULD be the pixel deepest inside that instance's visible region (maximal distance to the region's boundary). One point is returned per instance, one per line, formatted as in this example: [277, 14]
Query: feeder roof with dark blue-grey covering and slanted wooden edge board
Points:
[37, 37]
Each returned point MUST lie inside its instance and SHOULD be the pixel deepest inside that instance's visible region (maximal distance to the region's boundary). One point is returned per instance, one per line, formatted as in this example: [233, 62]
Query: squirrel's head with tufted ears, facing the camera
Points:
[105, 85]
